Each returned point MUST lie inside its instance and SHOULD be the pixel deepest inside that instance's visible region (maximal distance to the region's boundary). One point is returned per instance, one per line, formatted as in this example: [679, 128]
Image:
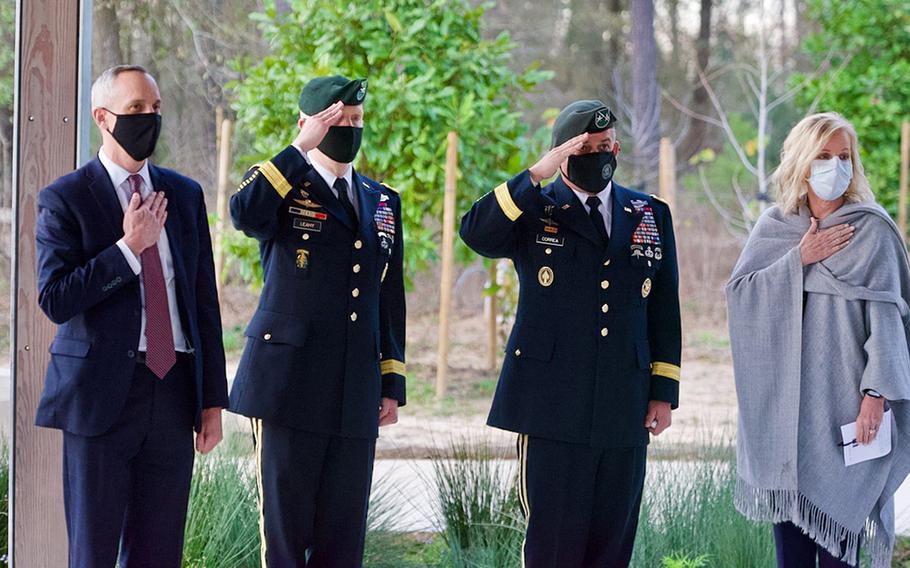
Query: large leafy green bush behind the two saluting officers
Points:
[430, 71]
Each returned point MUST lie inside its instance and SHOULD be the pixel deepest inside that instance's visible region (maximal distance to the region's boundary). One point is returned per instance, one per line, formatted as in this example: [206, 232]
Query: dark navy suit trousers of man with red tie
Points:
[126, 491]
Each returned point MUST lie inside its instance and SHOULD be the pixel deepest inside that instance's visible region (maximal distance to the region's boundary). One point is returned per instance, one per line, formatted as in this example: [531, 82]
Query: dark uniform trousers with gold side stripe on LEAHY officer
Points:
[314, 490]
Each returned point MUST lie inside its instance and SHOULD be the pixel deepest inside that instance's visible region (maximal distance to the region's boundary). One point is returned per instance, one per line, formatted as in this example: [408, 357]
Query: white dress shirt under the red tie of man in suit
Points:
[120, 180]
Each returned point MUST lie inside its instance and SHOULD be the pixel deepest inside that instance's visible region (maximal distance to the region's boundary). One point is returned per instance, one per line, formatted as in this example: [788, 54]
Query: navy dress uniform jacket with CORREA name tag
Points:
[597, 331]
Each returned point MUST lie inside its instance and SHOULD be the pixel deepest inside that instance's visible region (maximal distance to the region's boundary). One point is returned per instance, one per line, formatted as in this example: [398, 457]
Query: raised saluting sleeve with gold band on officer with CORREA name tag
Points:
[490, 227]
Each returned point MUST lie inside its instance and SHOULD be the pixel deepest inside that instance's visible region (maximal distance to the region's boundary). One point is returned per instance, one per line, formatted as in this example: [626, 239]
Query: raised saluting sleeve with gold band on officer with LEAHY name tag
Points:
[255, 205]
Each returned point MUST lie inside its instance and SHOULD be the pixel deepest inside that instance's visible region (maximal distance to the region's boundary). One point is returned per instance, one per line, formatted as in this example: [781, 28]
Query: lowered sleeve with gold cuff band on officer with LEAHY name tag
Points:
[392, 317]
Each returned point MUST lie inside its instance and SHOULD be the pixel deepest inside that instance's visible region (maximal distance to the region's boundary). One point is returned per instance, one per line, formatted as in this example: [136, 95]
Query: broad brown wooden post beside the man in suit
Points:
[44, 148]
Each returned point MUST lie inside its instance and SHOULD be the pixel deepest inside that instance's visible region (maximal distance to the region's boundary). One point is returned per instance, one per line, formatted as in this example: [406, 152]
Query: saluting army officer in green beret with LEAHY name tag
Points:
[323, 365]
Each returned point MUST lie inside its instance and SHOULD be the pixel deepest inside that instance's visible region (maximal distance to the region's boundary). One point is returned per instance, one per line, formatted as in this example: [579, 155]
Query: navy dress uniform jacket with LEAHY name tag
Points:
[327, 339]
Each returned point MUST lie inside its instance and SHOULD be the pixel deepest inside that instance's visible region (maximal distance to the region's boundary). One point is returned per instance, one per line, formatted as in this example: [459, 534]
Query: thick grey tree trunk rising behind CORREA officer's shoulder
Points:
[645, 92]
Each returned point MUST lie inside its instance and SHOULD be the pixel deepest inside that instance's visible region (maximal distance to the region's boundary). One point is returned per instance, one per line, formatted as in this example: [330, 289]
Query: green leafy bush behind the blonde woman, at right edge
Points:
[870, 43]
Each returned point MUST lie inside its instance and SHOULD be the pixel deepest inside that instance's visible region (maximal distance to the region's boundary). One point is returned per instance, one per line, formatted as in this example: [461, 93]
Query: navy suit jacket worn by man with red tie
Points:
[87, 287]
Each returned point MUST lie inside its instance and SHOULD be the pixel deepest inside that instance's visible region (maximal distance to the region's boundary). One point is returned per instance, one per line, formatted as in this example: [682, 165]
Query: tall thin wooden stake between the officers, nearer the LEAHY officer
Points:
[445, 279]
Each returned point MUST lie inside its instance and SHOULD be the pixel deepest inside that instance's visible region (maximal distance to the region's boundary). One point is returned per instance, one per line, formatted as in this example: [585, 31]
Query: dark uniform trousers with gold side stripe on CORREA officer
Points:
[581, 503]
